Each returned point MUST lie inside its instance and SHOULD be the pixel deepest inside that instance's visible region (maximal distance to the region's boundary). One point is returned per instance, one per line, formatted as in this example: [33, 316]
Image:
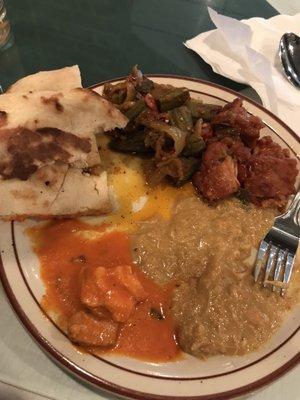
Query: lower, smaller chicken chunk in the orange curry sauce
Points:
[87, 330]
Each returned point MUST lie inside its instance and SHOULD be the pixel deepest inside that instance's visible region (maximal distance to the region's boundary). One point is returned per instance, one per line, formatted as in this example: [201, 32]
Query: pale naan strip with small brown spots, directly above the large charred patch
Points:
[80, 111]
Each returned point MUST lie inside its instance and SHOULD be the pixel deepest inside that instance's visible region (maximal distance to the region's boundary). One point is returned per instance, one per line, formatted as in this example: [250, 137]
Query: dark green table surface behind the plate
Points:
[106, 37]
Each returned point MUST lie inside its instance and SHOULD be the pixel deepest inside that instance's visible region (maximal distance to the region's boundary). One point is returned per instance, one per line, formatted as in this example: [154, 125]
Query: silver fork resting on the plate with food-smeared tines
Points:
[277, 250]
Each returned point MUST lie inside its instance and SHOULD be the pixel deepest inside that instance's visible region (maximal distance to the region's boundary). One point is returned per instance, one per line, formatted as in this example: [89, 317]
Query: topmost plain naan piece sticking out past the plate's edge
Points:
[56, 80]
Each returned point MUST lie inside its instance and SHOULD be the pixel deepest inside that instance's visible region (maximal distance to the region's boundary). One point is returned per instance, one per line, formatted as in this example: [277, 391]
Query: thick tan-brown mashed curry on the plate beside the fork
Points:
[206, 250]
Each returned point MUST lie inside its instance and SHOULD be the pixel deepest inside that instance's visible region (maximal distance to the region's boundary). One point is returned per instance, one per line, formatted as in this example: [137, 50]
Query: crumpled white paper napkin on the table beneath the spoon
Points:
[246, 51]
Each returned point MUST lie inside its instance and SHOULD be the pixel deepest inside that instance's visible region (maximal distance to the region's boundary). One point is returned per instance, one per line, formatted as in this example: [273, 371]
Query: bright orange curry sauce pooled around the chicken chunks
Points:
[59, 243]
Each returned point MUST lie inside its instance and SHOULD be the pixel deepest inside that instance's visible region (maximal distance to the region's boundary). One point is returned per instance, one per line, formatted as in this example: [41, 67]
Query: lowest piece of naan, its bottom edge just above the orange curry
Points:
[55, 191]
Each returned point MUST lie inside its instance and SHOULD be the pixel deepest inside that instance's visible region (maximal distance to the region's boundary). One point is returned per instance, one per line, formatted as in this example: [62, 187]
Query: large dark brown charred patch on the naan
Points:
[28, 150]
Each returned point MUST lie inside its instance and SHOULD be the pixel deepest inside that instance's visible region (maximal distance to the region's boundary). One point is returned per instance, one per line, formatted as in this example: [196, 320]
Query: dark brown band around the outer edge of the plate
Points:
[110, 386]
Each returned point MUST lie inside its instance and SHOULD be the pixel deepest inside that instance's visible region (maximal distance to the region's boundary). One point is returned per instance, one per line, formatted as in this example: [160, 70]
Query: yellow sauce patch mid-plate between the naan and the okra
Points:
[135, 200]
